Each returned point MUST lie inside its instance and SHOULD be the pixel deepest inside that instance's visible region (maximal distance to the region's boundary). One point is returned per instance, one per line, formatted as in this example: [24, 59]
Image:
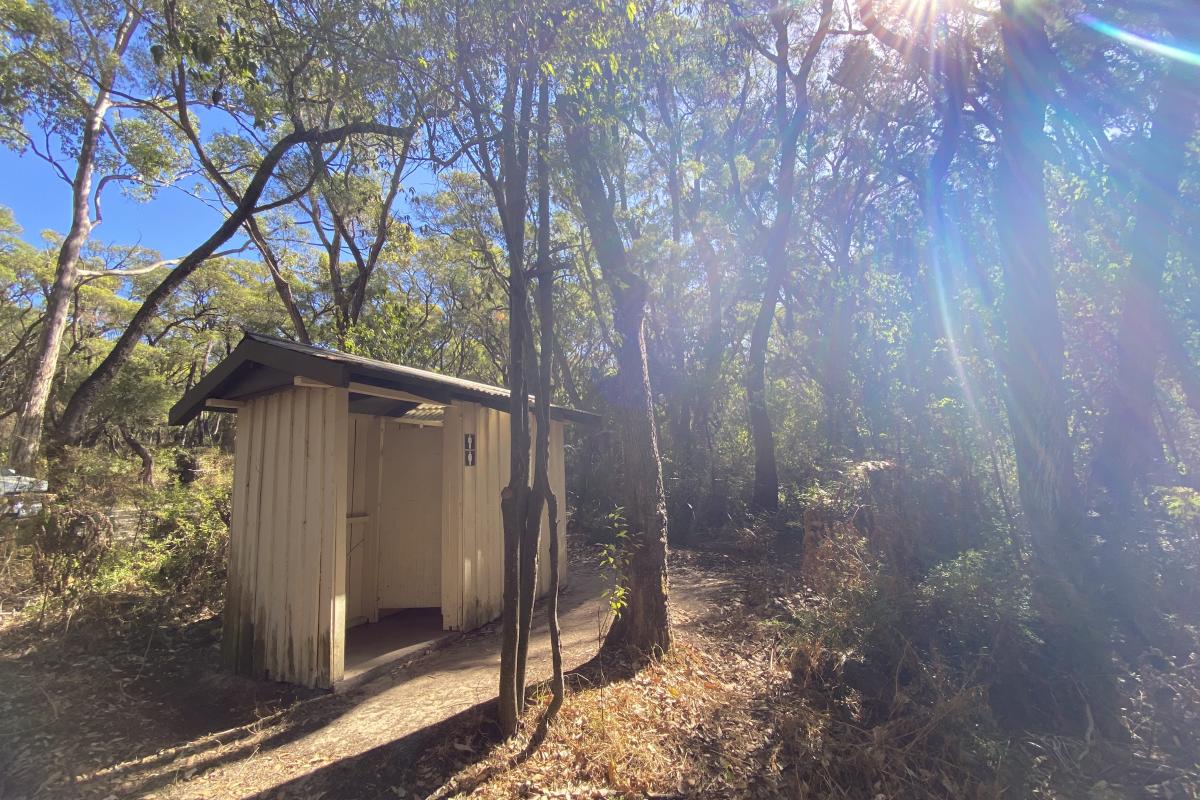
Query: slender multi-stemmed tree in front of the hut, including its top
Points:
[493, 80]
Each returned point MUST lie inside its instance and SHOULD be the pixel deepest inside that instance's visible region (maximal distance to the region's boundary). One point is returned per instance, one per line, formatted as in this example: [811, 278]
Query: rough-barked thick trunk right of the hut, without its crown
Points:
[644, 624]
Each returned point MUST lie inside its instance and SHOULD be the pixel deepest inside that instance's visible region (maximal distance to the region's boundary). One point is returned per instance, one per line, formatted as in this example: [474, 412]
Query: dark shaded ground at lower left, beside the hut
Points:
[119, 681]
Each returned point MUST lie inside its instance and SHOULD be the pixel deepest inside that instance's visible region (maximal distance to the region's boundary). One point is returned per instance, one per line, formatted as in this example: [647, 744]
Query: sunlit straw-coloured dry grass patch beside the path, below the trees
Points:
[695, 724]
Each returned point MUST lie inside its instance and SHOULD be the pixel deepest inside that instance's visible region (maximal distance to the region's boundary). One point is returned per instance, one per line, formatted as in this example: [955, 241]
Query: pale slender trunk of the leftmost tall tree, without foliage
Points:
[27, 440]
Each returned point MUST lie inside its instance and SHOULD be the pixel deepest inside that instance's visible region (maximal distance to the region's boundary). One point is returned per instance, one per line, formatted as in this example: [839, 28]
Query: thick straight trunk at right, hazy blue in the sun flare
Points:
[1034, 371]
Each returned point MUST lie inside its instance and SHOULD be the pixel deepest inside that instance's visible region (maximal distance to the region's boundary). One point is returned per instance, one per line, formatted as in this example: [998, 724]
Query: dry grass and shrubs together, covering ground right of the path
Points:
[862, 653]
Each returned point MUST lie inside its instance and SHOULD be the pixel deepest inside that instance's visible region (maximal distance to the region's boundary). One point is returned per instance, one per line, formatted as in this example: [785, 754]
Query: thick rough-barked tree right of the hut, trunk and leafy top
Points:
[601, 83]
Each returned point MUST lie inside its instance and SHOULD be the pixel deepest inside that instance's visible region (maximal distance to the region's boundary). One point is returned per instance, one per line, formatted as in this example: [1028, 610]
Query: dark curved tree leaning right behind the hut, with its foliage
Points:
[262, 56]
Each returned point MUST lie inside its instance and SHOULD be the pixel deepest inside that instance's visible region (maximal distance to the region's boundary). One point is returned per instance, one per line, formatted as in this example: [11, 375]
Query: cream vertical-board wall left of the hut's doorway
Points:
[287, 549]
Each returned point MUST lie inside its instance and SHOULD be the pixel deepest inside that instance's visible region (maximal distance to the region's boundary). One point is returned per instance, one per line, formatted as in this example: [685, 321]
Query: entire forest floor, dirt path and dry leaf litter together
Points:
[151, 714]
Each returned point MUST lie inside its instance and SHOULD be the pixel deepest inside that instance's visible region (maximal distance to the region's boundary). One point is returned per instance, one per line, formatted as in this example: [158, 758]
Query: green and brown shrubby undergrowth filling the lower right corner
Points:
[915, 681]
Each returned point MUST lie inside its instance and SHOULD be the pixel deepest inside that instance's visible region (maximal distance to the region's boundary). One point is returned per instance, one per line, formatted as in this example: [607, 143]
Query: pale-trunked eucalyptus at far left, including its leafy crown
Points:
[67, 70]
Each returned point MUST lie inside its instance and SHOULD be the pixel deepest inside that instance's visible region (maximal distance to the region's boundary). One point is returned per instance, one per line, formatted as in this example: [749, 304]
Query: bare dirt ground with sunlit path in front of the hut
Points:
[153, 715]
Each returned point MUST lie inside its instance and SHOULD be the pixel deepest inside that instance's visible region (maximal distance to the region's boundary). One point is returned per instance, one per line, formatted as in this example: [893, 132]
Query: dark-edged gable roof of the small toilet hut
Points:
[263, 363]
